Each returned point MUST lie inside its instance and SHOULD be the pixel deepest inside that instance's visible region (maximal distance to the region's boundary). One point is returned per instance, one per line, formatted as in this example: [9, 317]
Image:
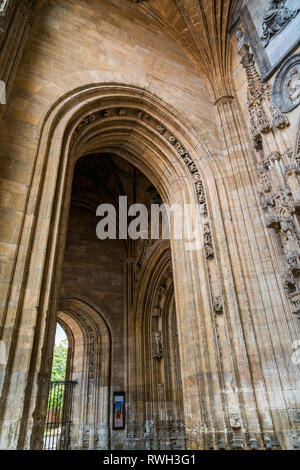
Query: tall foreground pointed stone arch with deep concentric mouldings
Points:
[223, 408]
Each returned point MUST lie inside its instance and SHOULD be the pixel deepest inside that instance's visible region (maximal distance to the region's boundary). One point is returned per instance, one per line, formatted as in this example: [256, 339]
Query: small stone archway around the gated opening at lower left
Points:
[90, 364]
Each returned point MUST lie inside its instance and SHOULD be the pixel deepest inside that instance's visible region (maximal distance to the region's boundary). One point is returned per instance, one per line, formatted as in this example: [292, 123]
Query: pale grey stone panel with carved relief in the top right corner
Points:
[282, 21]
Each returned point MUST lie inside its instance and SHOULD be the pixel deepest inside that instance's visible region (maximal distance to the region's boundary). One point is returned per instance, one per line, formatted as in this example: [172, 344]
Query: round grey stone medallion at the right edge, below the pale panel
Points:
[286, 89]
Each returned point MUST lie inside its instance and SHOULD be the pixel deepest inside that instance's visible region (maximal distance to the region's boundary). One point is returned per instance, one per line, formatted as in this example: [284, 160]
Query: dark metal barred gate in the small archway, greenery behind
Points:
[59, 415]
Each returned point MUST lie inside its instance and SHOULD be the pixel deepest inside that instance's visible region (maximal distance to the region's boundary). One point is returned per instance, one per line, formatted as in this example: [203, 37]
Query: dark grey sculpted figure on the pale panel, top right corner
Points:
[276, 16]
